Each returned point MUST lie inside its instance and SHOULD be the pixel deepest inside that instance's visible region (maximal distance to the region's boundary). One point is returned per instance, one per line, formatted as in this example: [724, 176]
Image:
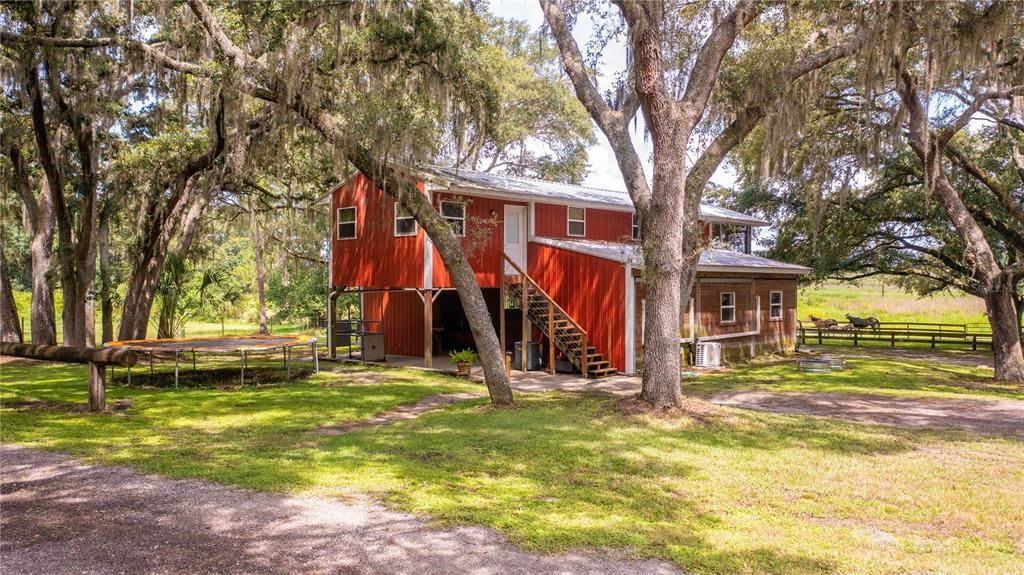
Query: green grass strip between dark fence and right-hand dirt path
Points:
[866, 373]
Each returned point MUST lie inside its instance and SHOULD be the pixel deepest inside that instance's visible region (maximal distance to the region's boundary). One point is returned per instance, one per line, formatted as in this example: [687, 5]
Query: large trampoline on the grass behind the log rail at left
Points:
[242, 345]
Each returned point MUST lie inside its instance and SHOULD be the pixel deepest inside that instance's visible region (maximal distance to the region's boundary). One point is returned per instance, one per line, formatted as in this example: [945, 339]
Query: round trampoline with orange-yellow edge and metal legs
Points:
[146, 347]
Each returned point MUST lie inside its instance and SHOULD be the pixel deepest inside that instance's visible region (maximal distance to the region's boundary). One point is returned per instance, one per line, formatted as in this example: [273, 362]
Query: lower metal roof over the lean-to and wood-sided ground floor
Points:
[711, 259]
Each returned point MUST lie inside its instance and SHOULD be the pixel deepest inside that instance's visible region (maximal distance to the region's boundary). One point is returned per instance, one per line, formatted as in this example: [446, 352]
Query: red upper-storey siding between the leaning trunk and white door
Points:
[484, 243]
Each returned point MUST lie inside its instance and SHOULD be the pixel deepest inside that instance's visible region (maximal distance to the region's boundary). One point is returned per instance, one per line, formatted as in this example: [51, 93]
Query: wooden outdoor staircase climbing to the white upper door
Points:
[522, 292]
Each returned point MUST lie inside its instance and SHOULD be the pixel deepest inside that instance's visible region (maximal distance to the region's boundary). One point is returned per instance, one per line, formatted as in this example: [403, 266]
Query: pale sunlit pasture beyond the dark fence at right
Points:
[888, 304]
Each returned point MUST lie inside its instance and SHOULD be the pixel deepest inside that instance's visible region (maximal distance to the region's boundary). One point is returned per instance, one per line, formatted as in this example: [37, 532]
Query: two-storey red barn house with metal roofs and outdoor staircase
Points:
[568, 254]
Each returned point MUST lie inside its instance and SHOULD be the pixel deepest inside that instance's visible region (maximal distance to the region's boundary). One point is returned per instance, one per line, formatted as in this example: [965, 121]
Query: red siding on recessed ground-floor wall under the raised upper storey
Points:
[403, 316]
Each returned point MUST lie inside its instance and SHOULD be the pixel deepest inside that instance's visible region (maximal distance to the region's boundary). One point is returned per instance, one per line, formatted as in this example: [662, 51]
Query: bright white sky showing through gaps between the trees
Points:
[604, 168]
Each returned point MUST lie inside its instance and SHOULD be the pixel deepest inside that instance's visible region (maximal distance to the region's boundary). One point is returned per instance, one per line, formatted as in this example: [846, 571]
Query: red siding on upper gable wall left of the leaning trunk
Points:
[376, 258]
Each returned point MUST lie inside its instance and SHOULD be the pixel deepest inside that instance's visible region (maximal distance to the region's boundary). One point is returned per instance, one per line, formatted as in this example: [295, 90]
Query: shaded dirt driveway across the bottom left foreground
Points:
[63, 517]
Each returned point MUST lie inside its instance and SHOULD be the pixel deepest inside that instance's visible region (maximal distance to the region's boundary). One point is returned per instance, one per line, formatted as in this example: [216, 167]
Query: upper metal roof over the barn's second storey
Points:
[470, 181]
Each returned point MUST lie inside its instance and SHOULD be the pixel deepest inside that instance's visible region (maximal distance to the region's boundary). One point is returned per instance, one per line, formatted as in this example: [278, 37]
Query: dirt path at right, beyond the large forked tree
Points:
[979, 416]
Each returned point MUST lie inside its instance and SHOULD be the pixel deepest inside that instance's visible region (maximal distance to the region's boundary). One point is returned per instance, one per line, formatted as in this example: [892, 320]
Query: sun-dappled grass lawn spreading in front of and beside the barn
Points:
[740, 493]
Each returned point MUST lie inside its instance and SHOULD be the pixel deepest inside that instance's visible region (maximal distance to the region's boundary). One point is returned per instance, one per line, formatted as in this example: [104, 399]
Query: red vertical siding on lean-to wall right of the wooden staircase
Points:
[591, 290]
